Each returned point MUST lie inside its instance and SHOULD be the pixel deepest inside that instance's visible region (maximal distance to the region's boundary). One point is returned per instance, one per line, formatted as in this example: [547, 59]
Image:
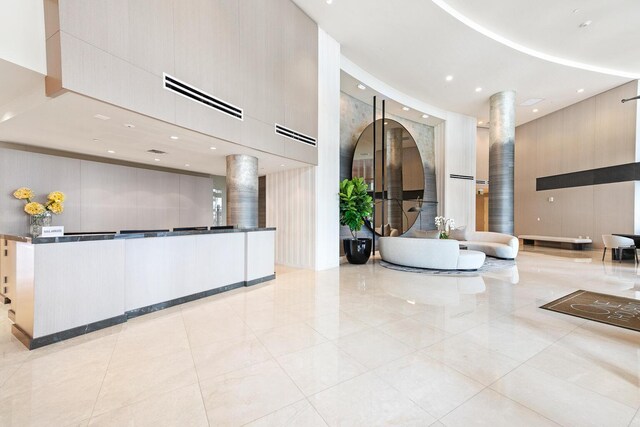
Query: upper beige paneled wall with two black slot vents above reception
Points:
[260, 55]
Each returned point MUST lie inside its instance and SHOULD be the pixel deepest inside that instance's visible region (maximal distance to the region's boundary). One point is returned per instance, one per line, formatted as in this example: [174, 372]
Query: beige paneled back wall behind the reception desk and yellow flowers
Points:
[101, 196]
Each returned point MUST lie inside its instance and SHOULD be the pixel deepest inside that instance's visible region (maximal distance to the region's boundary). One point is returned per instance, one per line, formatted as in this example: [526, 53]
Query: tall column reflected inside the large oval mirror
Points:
[393, 178]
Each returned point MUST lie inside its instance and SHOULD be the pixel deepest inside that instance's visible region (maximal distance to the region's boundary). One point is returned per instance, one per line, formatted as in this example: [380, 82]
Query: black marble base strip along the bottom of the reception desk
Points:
[33, 343]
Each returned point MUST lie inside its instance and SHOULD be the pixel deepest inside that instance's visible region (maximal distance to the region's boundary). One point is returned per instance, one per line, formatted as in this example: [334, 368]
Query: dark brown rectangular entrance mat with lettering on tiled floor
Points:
[603, 308]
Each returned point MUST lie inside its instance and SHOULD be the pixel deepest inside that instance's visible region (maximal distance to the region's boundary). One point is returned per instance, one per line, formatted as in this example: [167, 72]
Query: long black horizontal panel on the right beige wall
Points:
[607, 175]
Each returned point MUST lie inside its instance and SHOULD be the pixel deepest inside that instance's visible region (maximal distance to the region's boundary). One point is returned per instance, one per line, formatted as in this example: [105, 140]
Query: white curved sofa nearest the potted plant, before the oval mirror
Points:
[435, 254]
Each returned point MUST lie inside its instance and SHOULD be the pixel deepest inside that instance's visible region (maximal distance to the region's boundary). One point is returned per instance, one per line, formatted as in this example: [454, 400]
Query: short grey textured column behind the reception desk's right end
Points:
[242, 190]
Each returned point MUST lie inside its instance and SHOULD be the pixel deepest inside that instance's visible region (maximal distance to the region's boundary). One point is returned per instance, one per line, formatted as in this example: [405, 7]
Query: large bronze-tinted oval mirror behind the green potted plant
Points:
[403, 175]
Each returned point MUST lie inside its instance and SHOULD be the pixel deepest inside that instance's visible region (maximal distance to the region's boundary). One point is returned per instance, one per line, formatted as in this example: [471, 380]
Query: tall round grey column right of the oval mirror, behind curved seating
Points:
[502, 131]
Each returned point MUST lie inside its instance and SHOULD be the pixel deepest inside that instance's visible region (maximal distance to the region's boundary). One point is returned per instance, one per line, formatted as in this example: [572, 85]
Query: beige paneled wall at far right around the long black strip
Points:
[597, 132]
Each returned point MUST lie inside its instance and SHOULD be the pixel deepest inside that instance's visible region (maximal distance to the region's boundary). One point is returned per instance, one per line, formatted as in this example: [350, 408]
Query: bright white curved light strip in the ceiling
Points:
[524, 49]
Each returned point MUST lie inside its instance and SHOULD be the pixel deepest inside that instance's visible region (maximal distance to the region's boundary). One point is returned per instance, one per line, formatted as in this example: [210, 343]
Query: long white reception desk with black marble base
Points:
[67, 286]
